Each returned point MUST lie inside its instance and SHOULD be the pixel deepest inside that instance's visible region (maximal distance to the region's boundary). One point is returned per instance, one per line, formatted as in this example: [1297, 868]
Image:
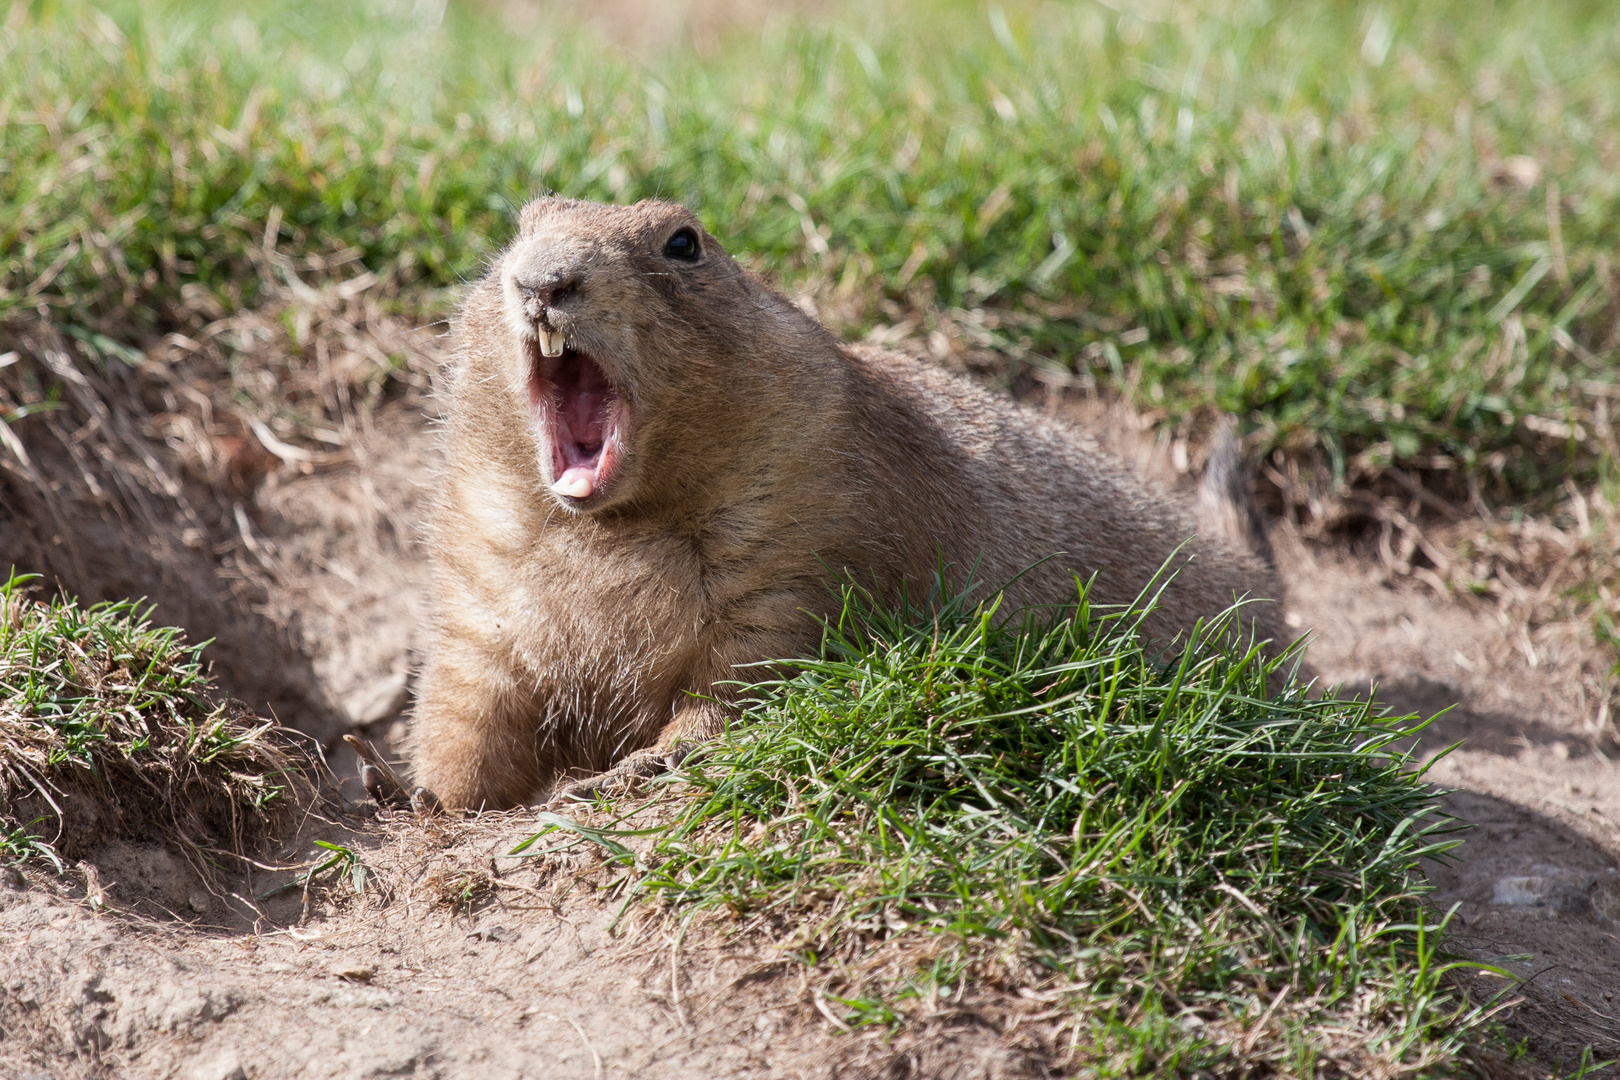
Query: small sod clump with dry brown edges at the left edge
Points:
[111, 729]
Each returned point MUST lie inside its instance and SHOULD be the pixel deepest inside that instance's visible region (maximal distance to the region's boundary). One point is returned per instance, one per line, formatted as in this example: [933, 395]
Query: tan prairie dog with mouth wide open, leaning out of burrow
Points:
[655, 467]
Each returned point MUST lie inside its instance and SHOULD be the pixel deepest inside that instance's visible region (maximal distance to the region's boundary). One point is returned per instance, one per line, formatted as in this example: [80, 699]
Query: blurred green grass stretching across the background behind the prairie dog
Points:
[1289, 211]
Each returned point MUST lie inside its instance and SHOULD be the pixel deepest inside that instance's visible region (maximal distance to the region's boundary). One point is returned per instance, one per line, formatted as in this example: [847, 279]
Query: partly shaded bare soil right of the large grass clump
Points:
[1535, 883]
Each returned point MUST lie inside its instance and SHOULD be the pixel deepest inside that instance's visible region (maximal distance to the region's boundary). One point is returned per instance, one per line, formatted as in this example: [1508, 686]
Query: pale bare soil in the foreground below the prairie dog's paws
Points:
[399, 980]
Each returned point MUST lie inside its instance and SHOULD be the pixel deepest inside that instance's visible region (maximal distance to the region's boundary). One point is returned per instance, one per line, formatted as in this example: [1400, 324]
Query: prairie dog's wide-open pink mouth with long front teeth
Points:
[582, 414]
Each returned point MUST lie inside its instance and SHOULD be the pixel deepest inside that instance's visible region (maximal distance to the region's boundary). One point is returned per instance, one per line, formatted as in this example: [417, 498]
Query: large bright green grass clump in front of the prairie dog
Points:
[1211, 869]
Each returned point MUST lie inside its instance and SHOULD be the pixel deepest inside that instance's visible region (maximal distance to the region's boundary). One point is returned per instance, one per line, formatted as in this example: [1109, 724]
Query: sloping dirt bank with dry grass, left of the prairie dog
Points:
[224, 475]
